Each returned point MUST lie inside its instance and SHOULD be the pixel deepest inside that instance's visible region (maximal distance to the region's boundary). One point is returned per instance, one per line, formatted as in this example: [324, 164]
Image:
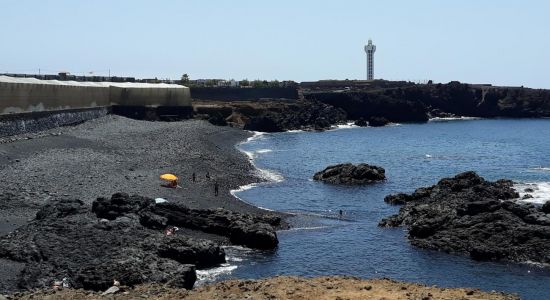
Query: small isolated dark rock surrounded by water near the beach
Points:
[349, 174]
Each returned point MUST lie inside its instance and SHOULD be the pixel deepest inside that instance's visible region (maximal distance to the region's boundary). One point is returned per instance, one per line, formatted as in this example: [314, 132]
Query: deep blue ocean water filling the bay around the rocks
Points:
[414, 155]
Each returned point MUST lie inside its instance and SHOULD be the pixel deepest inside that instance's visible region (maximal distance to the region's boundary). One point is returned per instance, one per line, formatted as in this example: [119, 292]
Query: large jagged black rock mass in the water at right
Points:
[468, 215]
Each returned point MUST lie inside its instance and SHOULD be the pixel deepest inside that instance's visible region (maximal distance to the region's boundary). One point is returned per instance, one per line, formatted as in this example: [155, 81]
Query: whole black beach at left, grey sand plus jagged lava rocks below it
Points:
[76, 165]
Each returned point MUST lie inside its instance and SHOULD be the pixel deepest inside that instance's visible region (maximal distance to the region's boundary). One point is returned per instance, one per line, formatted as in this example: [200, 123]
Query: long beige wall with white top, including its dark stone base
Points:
[30, 104]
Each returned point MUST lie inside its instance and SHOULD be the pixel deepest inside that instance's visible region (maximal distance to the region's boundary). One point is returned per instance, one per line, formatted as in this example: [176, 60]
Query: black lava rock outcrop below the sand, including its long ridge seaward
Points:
[124, 238]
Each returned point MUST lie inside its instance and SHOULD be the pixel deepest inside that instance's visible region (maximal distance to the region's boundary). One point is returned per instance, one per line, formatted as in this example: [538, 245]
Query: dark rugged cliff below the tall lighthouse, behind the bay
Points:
[417, 102]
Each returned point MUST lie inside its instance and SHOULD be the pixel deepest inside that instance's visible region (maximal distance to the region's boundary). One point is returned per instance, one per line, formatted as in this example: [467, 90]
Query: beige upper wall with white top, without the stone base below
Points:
[20, 95]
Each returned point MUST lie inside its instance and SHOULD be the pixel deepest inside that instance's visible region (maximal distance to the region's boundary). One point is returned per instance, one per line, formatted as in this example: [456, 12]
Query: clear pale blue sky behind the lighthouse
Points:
[500, 42]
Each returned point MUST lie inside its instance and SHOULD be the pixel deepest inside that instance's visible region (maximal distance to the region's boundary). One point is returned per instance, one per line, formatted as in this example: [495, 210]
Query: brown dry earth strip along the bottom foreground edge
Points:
[286, 287]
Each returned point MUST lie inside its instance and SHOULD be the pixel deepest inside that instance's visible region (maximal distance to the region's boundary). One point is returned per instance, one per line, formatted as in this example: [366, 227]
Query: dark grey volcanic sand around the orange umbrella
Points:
[116, 154]
